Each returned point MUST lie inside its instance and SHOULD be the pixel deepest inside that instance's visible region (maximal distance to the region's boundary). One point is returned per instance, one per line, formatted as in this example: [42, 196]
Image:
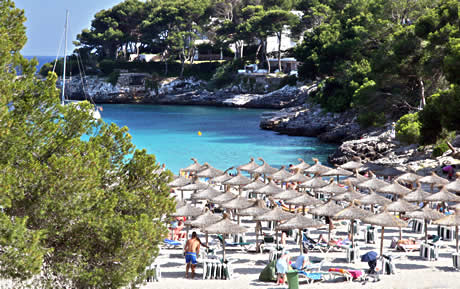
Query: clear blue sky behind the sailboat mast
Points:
[45, 22]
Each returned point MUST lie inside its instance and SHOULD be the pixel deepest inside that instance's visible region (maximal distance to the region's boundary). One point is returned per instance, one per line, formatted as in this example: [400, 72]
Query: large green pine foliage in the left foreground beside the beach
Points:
[81, 206]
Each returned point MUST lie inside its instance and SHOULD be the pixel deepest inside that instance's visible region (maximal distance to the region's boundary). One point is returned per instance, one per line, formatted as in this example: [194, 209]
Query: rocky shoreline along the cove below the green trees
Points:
[296, 116]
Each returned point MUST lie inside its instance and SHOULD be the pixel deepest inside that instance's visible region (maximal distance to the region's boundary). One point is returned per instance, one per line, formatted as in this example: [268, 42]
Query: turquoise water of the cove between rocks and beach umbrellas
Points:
[230, 136]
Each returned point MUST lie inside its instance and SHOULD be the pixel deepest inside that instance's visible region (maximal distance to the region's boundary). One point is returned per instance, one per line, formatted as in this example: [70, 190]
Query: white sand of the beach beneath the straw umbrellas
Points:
[412, 271]
